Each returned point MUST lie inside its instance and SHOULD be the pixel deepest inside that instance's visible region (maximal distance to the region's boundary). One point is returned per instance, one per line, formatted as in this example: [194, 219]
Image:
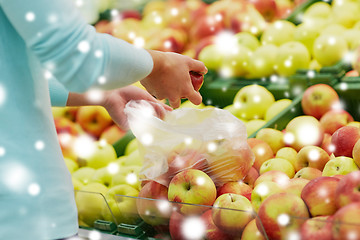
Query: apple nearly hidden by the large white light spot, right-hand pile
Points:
[303, 131]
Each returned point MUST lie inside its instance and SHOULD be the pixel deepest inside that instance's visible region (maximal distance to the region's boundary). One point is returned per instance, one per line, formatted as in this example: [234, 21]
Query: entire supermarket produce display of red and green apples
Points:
[297, 175]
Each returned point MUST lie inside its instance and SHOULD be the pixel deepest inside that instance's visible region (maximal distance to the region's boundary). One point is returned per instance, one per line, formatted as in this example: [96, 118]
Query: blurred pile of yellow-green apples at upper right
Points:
[327, 34]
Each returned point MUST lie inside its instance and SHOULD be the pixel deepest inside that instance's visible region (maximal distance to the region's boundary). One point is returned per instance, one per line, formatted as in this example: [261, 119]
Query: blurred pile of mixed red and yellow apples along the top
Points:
[187, 26]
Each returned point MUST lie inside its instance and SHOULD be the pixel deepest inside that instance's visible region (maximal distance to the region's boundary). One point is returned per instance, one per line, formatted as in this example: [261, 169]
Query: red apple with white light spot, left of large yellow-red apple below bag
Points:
[154, 212]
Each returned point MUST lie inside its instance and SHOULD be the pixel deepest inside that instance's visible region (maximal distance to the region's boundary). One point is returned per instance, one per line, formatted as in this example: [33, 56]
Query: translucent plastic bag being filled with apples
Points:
[211, 140]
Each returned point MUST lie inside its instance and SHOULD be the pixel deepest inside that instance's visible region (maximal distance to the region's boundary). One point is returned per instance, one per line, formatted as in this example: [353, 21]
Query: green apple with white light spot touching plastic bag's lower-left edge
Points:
[127, 175]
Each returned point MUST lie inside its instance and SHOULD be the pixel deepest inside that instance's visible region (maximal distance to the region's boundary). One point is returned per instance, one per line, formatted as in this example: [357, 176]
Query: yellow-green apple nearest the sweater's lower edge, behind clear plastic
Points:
[90, 201]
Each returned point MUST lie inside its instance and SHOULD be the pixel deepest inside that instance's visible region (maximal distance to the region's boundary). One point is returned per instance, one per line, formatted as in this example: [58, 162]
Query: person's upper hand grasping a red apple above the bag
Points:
[170, 77]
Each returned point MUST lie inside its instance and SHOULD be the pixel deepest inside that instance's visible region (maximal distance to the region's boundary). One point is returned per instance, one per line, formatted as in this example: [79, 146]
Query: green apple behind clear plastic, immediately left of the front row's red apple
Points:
[122, 203]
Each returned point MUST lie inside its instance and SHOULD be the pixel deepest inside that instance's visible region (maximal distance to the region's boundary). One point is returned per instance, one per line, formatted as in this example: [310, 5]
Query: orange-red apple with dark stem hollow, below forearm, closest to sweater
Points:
[93, 119]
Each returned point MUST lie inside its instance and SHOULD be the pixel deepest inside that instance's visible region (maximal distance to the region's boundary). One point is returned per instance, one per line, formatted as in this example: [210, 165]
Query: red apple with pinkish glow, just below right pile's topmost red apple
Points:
[335, 119]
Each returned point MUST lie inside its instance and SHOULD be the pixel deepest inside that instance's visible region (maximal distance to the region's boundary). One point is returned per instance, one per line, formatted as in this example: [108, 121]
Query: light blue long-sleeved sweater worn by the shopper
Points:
[42, 40]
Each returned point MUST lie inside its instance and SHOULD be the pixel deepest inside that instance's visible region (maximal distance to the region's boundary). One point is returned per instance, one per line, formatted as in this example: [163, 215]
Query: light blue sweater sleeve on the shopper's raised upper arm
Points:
[71, 50]
